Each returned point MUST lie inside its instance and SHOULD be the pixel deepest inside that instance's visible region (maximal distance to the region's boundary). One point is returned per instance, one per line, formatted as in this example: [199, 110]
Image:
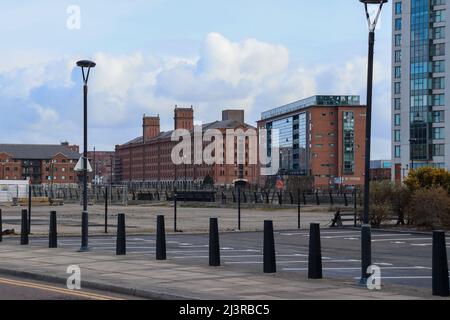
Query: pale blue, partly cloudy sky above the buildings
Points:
[154, 54]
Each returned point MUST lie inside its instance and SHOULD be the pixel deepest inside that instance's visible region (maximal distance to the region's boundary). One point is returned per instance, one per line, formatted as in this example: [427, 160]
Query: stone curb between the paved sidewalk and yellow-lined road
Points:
[151, 295]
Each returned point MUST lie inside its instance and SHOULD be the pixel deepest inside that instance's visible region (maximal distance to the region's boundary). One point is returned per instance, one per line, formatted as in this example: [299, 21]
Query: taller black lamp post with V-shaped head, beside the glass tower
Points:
[366, 245]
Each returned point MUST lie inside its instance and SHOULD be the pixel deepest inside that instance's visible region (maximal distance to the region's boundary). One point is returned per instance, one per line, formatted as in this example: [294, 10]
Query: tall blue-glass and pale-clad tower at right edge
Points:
[420, 117]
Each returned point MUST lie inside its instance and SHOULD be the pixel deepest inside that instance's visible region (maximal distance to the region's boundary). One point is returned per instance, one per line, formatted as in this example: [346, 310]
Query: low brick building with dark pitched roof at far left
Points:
[42, 164]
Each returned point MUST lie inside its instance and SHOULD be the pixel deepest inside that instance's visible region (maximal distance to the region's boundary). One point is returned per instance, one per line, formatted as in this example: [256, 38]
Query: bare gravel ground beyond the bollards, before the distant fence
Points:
[142, 218]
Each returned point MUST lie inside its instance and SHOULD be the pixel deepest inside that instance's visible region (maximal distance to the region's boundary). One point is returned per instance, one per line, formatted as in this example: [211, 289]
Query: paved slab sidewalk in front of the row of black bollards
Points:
[142, 275]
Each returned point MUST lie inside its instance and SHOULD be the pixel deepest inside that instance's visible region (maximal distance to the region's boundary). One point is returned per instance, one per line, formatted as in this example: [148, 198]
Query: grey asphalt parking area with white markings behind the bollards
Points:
[404, 258]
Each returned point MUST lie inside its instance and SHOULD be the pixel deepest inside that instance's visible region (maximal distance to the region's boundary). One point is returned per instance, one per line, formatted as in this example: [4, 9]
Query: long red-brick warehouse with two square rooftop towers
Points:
[147, 159]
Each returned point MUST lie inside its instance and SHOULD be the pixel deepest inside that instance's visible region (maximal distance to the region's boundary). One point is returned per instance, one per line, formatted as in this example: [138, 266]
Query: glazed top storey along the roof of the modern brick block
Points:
[312, 101]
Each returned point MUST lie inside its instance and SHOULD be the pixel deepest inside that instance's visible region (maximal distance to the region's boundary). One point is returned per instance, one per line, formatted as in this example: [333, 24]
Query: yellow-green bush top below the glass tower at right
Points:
[427, 177]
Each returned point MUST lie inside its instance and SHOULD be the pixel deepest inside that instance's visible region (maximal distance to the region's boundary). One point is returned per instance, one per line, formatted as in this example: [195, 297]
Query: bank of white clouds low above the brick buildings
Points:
[250, 74]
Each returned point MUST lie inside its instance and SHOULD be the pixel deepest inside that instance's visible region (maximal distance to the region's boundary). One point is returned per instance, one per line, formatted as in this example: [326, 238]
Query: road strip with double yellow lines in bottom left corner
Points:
[12, 288]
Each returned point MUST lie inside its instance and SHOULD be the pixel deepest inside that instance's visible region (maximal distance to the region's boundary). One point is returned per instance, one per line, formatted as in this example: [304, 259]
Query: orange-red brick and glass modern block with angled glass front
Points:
[323, 137]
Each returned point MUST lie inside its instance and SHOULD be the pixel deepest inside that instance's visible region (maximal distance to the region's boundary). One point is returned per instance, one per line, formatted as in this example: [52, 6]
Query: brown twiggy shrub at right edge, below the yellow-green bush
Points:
[430, 208]
